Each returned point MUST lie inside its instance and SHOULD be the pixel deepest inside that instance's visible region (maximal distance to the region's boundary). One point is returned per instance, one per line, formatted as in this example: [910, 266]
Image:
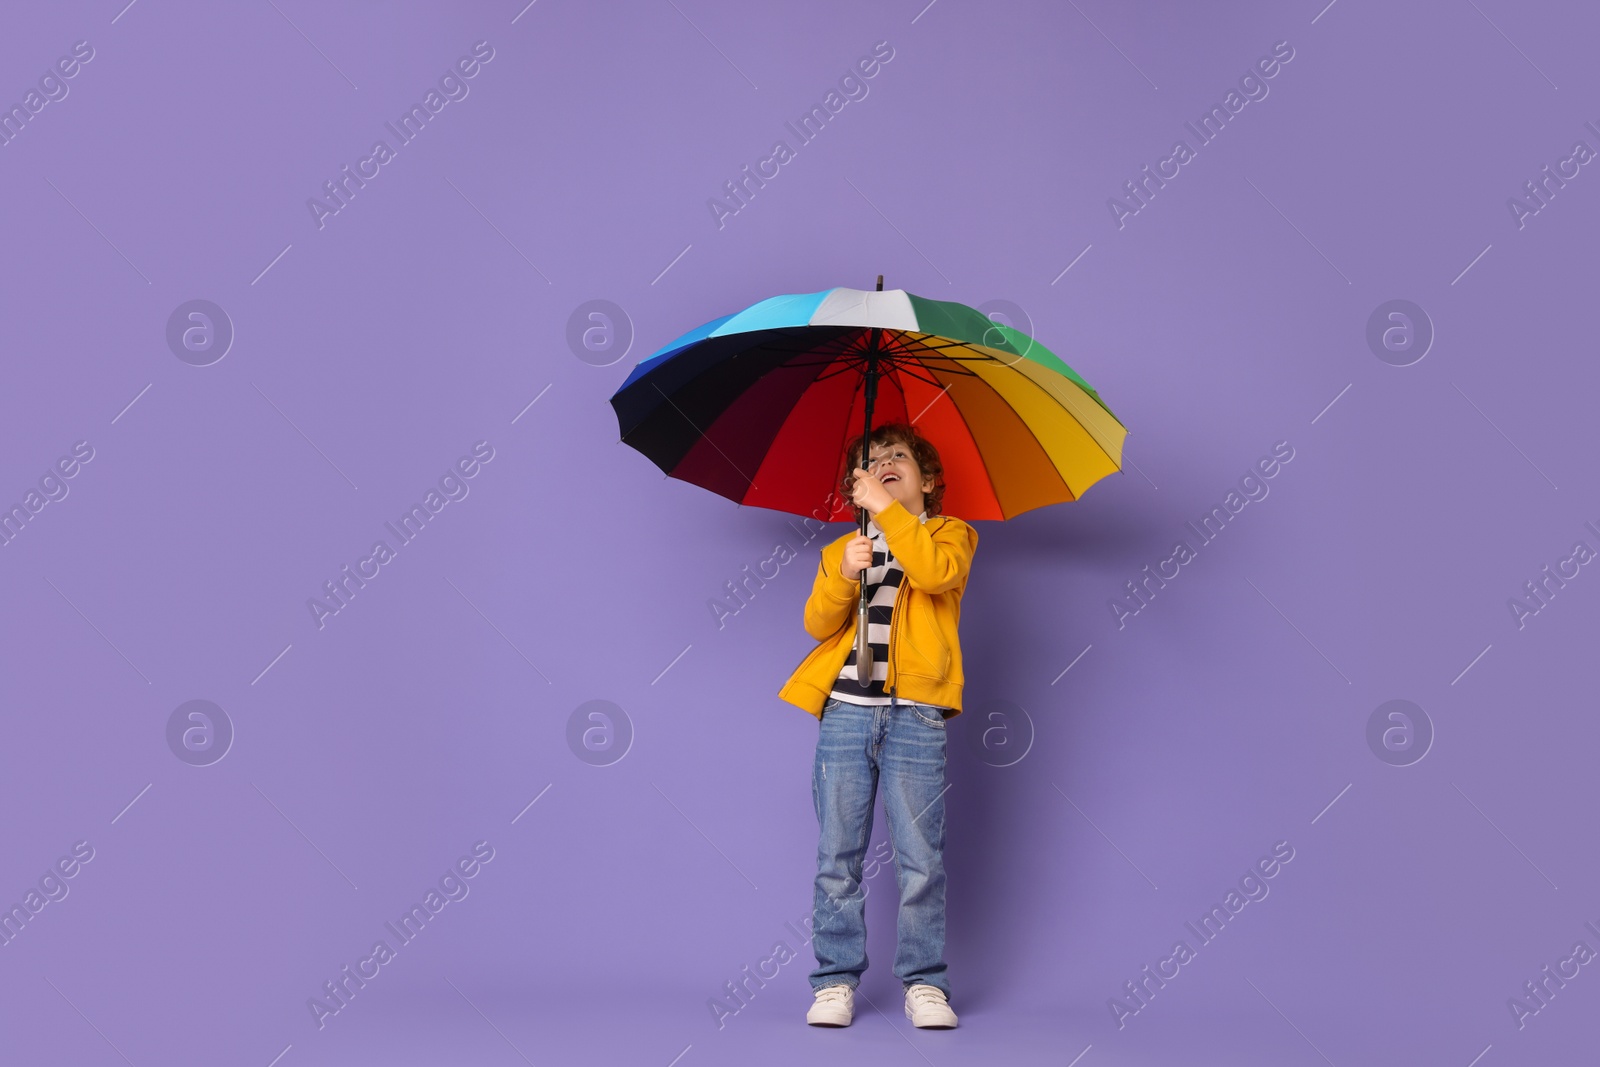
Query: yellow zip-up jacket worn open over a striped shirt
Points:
[926, 653]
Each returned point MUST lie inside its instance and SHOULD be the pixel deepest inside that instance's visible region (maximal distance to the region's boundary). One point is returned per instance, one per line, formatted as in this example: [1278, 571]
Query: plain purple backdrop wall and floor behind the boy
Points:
[430, 314]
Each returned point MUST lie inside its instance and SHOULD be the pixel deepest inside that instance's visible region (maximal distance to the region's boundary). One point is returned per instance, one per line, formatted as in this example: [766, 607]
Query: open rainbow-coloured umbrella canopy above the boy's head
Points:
[761, 407]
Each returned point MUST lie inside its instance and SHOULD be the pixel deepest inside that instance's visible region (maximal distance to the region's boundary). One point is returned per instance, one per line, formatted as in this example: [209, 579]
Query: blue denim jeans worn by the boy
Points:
[908, 745]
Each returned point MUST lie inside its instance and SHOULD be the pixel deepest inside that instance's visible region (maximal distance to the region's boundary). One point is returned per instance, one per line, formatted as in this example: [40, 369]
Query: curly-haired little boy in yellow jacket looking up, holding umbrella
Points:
[916, 564]
